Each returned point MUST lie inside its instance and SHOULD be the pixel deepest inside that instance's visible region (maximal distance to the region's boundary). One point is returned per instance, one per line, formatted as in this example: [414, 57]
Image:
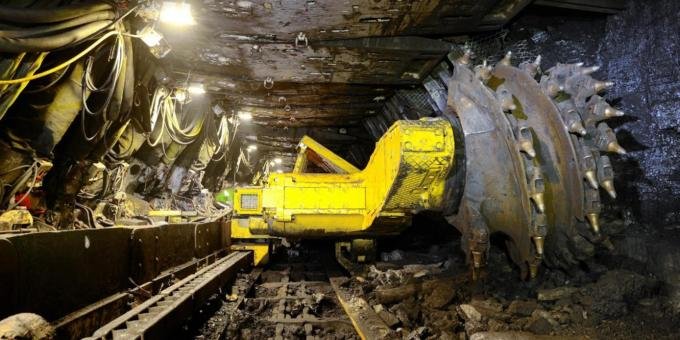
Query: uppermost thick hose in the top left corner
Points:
[49, 15]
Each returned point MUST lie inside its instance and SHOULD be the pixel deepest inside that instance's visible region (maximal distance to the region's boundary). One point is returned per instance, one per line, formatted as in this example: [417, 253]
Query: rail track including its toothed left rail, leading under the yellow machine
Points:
[300, 295]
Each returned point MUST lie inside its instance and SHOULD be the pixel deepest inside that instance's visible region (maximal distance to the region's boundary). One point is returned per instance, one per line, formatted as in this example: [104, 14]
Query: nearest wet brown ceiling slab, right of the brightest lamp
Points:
[329, 42]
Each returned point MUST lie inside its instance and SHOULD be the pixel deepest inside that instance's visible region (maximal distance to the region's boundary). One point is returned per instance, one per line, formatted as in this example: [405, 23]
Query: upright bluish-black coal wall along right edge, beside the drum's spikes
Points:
[641, 53]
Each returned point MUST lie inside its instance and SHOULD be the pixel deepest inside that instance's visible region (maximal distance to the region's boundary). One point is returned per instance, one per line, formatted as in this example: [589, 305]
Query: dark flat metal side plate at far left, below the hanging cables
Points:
[59, 272]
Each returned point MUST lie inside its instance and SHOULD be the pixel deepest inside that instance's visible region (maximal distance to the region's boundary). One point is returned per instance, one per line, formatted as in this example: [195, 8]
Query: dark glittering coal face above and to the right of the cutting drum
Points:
[638, 49]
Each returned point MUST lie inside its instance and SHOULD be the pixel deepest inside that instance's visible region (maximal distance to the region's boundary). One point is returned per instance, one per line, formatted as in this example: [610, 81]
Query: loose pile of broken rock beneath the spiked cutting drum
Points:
[438, 300]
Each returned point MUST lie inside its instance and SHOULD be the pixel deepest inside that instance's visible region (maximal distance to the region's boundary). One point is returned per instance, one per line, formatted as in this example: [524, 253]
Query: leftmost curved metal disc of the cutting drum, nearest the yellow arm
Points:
[495, 197]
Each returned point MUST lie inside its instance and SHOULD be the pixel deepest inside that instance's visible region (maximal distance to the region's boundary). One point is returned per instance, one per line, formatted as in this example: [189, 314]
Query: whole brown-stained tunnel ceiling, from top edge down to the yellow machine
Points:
[320, 67]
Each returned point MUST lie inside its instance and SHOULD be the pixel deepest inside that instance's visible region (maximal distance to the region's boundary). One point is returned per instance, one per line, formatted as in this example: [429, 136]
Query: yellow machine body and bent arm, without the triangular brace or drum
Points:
[406, 173]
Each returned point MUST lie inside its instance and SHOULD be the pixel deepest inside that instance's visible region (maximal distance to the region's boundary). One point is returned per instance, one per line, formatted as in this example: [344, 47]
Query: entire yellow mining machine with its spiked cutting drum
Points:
[518, 152]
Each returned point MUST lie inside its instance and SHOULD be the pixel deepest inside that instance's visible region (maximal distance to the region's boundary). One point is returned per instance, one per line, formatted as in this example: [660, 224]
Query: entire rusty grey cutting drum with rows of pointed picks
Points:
[534, 160]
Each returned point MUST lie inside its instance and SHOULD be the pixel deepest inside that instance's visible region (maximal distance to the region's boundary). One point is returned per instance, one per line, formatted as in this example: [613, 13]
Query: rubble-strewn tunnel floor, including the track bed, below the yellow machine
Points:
[421, 288]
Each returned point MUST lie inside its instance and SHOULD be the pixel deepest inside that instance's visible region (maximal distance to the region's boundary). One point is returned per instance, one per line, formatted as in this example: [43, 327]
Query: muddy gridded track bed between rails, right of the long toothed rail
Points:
[298, 296]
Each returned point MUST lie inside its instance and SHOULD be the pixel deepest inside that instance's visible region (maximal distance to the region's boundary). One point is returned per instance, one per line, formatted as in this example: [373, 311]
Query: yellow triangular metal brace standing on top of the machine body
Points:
[311, 150]
